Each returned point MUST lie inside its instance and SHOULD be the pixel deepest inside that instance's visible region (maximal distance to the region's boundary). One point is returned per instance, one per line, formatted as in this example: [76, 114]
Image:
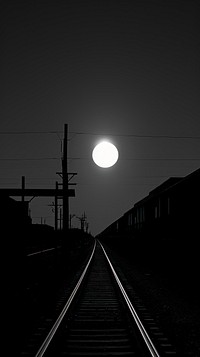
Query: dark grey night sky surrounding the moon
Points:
[124, 70]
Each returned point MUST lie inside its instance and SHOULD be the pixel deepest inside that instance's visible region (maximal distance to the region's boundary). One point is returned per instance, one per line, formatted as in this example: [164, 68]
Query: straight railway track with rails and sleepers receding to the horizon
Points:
[99, 319]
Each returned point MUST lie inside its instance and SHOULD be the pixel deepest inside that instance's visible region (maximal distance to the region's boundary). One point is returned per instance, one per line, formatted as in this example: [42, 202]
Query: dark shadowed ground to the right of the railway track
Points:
[175, 304]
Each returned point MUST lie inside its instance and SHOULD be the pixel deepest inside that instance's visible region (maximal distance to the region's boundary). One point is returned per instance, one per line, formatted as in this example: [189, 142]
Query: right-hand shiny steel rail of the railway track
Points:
[149, 343]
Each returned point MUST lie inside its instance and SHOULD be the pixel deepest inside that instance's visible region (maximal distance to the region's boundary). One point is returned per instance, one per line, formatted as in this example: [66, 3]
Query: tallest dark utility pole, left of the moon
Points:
[65, 181]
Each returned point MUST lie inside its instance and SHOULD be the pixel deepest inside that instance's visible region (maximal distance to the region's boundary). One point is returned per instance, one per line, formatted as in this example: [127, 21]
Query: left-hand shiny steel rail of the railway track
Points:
[53, 330]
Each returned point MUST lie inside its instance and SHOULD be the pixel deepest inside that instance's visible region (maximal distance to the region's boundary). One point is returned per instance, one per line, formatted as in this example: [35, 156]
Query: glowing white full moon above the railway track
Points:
[105, 154]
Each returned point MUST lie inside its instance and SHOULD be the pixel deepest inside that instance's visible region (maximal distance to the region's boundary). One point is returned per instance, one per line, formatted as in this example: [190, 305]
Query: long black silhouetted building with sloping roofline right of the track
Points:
[170, 211]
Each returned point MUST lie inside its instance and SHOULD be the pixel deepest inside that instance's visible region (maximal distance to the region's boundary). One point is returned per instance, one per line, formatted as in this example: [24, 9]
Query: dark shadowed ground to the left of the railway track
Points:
[34, 286]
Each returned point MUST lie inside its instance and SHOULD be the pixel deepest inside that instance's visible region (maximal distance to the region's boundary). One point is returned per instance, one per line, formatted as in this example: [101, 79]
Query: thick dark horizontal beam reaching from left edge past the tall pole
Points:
[37, 192]
